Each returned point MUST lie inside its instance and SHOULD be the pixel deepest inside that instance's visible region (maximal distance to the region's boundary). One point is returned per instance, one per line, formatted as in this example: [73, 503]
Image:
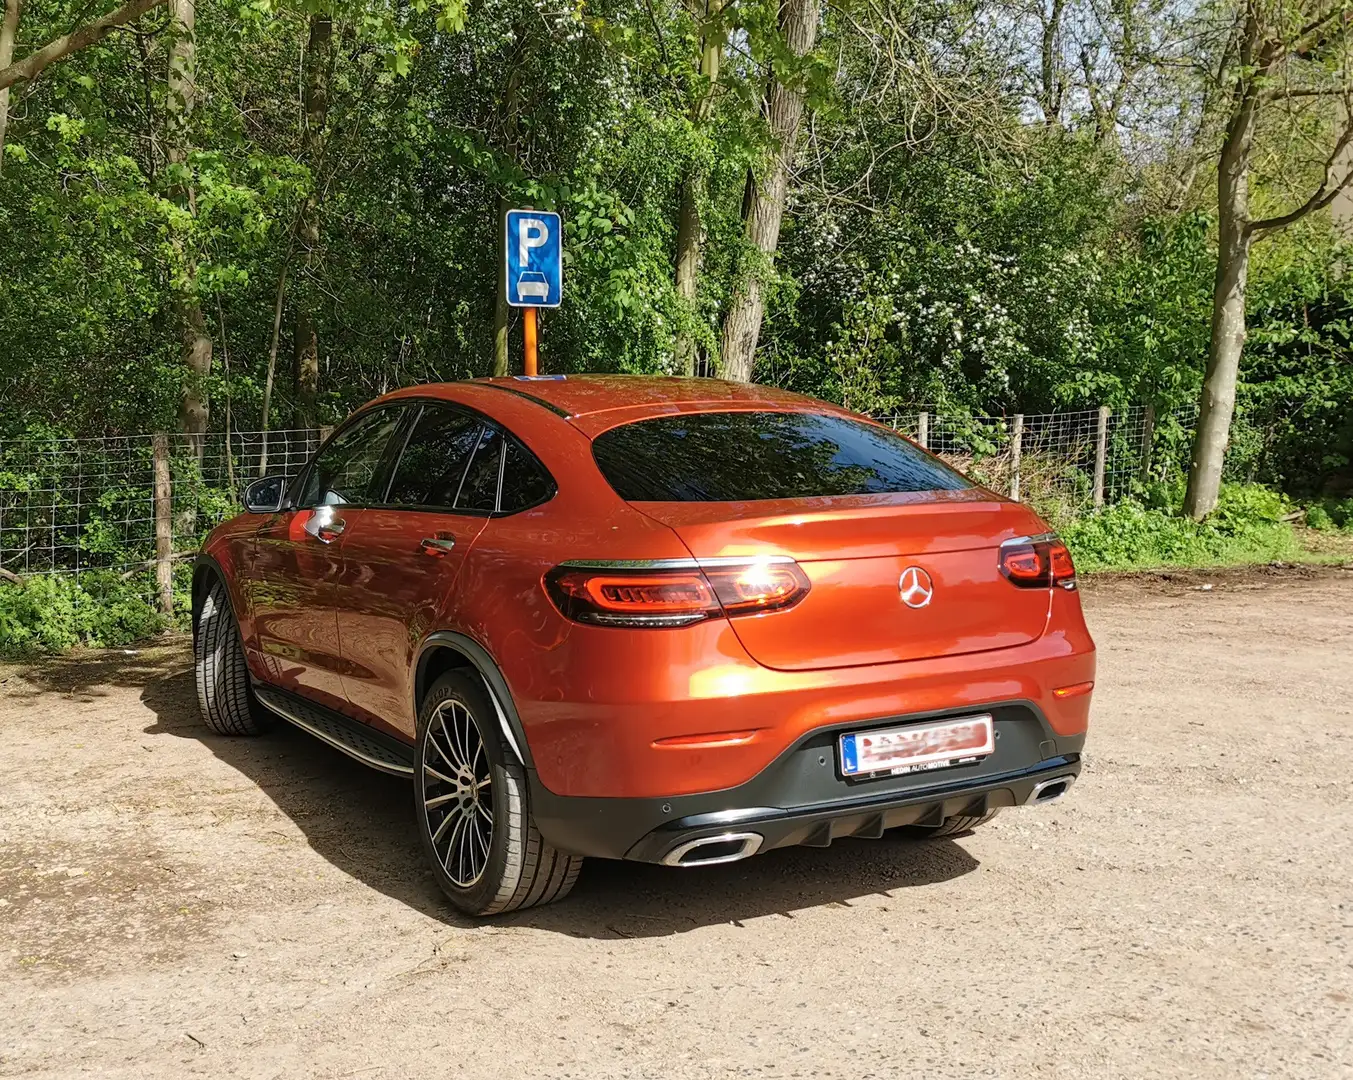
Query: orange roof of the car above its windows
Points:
[593, 404]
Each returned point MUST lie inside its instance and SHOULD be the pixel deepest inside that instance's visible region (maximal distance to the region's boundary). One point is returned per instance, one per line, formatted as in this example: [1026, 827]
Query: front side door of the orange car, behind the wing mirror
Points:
[292, 585]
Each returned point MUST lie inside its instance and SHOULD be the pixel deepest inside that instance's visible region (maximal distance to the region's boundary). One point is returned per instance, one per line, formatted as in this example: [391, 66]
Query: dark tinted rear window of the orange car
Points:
[739, 457]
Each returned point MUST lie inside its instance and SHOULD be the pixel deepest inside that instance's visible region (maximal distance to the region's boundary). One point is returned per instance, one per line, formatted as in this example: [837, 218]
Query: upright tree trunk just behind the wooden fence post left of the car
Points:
[196, 342]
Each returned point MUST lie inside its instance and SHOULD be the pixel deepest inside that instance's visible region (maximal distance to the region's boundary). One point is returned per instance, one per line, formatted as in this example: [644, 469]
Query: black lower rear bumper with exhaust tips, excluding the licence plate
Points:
[802, 798]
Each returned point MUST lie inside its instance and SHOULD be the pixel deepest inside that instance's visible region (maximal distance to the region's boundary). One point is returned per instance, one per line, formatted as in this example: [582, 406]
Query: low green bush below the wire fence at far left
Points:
[59, 611]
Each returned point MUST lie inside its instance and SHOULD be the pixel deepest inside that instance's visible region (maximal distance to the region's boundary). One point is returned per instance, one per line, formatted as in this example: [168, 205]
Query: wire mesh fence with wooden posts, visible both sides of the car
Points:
[78, 505]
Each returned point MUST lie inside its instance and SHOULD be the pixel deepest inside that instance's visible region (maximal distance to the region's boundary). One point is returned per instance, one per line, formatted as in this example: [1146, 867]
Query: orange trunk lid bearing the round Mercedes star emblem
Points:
[856, 552]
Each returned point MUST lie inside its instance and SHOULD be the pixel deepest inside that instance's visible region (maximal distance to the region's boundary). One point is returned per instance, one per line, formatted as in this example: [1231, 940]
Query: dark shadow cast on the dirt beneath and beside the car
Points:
[362, 822]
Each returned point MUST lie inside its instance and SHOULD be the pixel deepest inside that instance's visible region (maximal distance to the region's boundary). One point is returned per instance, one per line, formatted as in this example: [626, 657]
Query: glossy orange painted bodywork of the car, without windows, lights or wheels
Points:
[661, 713]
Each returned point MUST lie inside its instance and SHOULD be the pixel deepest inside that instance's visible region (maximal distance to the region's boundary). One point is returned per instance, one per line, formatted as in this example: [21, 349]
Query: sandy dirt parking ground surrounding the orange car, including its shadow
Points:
[175, 903]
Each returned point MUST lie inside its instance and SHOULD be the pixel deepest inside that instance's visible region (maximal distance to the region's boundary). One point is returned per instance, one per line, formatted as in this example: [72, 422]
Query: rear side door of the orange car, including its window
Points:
[401, 558]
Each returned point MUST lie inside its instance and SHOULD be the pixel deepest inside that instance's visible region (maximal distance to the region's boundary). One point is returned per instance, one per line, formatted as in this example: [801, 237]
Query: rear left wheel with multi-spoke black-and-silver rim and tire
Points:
[474, 818]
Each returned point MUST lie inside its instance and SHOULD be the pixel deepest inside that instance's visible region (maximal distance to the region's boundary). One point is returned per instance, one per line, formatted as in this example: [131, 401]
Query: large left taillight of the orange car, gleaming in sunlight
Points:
[674, 596]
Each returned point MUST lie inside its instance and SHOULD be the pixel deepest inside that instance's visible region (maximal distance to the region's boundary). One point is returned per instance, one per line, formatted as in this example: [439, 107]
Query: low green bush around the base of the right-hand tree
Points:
[1247, 527]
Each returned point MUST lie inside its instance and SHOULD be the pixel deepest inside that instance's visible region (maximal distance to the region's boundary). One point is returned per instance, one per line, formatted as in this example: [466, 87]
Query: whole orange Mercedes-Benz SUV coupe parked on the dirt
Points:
[673, 621]
